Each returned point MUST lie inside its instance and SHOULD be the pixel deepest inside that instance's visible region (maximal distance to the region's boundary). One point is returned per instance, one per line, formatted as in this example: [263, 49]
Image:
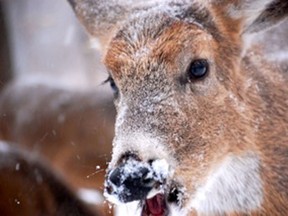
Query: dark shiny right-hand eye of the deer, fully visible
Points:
[198, 69]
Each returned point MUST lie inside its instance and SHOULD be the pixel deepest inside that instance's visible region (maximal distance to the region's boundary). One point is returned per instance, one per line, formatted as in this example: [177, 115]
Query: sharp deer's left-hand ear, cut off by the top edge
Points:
[100, 17]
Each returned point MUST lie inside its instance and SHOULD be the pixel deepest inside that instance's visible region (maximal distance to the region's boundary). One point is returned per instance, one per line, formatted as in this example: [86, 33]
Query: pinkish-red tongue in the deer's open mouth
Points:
[154, 206]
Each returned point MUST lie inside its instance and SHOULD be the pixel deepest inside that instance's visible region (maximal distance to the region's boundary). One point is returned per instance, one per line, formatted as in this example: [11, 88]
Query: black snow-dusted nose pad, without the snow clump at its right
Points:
[131, 181]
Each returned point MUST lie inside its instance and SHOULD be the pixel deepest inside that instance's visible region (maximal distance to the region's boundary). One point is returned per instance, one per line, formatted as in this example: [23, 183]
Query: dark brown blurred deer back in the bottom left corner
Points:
[29, 186]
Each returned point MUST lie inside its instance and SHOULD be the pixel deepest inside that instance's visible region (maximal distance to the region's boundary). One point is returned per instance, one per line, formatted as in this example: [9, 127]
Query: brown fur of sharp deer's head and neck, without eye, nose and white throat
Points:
[238, 109]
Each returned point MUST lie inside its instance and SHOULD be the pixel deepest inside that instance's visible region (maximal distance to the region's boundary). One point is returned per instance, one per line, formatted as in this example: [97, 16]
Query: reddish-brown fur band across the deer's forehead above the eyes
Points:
[177, 41]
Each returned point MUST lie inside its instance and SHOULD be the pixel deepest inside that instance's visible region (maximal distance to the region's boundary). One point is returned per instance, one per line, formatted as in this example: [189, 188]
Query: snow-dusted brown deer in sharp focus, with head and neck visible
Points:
[202, 121]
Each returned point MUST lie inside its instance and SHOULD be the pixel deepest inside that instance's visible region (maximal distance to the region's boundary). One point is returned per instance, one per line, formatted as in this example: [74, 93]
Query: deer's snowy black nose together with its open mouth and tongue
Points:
[145, 182]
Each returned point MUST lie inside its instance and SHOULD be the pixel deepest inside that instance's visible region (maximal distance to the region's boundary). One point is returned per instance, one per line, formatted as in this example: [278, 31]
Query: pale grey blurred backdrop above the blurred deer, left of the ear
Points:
[49, 44]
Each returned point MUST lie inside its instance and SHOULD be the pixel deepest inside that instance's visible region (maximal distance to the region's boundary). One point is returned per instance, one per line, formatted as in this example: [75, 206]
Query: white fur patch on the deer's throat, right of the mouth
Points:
[235, 187]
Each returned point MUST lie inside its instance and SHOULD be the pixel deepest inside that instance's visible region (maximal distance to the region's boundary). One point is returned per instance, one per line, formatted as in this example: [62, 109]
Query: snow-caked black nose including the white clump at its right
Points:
[135, 180]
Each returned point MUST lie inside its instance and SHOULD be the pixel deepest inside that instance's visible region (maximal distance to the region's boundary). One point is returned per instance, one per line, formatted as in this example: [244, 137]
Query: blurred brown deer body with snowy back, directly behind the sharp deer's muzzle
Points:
[70, 130]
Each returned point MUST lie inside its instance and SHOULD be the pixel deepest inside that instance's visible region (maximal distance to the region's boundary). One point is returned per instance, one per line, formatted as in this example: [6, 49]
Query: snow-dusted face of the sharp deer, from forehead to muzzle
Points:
[175, 107]
